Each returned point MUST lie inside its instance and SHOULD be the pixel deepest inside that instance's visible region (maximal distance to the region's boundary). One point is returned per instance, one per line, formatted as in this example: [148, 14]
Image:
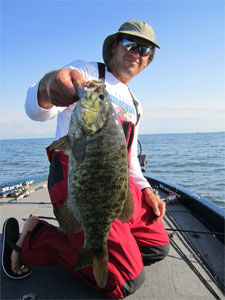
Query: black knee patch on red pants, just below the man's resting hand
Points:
[152, 254]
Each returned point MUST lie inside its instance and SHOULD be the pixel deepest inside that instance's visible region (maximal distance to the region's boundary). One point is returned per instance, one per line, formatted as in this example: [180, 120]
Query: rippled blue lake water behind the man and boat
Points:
[195, 161]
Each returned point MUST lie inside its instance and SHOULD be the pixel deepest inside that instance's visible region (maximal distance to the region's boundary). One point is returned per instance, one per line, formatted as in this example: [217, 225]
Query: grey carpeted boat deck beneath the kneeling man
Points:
[182, 275]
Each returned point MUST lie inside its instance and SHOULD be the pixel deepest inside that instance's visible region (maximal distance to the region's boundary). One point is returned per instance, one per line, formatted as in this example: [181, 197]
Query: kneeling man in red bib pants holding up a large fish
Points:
[143, 239]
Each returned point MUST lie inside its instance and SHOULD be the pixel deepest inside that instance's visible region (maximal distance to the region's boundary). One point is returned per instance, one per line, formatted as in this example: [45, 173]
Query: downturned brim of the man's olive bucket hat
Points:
[107, 45]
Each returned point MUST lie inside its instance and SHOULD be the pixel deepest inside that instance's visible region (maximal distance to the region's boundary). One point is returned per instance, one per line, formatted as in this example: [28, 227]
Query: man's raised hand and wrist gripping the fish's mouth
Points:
[58, 88]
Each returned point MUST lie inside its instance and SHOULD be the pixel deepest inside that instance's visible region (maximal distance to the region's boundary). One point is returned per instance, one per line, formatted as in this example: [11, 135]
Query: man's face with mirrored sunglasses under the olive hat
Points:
[126, 64]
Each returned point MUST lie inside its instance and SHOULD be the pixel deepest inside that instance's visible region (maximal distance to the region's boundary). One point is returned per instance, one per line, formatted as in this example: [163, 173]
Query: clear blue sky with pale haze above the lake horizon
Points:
[182, 90]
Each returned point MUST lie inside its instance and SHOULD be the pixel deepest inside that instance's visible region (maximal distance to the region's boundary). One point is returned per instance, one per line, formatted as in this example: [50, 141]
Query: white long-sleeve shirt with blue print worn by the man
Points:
[120, 97]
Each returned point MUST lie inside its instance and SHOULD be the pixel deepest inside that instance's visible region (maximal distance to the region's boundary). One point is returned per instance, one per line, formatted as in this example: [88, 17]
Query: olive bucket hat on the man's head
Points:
[133, 27]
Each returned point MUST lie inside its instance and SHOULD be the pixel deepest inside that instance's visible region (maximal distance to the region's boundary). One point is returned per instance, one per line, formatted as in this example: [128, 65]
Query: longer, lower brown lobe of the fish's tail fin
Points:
[100, 269]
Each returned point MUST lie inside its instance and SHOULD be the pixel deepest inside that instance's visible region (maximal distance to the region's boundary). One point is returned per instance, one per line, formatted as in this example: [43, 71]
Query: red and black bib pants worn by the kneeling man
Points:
[129, 244]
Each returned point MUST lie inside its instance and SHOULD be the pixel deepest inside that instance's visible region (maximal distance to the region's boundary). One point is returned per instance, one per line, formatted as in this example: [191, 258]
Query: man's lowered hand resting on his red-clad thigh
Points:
[158, 205]
